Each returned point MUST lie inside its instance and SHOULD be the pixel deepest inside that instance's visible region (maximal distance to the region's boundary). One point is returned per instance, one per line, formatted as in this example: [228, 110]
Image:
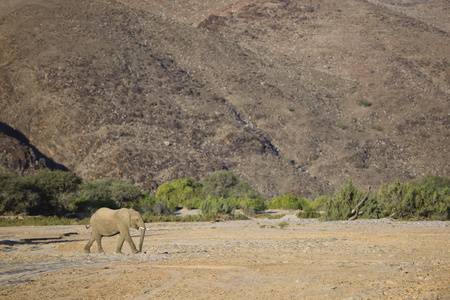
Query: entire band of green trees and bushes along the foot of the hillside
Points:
[58, 193]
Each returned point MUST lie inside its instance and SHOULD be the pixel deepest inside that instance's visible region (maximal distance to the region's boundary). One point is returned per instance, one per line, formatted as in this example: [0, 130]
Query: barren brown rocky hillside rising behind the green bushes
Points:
[294, 96]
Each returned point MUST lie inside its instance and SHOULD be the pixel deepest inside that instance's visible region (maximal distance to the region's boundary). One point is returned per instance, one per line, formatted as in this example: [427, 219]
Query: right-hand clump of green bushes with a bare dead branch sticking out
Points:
[427, 198]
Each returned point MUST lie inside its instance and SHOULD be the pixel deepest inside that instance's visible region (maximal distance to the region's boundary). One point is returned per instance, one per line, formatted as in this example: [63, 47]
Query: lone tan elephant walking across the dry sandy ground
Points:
[109, 222]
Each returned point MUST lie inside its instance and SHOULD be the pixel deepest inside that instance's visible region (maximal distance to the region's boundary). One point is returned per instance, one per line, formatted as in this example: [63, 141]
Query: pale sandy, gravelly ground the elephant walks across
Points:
[256, 259]
